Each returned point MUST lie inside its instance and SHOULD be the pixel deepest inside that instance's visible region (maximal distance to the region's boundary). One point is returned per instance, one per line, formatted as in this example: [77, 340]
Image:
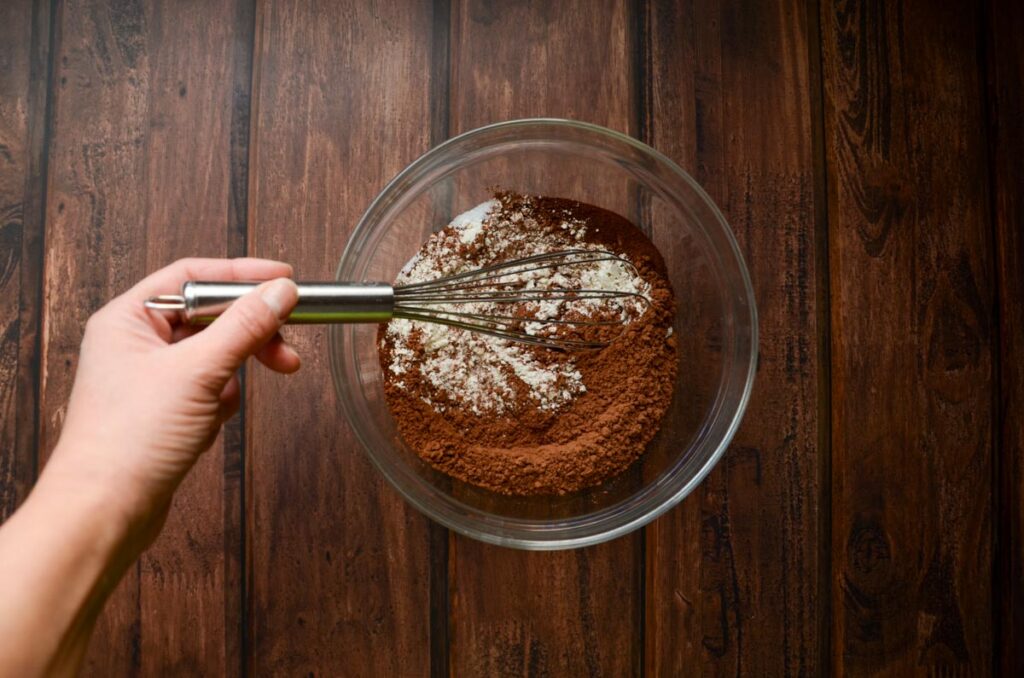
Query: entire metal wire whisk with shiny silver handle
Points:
[452, 301]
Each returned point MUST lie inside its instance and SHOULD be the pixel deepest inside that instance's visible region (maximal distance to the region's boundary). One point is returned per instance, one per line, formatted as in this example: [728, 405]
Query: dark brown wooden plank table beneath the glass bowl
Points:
[869, 157]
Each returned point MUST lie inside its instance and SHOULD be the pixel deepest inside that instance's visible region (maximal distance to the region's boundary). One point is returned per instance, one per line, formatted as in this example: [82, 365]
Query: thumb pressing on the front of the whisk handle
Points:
[246, 326]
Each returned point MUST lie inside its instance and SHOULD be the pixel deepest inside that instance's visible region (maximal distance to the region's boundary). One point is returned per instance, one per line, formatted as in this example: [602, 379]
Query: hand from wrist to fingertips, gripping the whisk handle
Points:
[151, 395]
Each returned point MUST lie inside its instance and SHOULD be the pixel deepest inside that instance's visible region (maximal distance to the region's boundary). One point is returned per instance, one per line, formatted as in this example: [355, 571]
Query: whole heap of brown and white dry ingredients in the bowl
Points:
[520, 419]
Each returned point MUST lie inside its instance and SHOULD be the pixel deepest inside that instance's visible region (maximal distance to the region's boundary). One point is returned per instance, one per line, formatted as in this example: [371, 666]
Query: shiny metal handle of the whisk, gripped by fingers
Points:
[200, 303]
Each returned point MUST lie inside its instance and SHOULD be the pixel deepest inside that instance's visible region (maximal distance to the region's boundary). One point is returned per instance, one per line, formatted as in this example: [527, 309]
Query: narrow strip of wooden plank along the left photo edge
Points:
[25, 28]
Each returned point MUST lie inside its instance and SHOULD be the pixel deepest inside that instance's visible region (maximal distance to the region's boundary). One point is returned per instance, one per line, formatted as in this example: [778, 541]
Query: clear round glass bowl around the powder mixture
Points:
[716, 323]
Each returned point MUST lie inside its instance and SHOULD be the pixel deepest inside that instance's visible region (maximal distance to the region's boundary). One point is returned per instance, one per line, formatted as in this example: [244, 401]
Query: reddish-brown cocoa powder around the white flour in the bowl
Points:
[530, 450]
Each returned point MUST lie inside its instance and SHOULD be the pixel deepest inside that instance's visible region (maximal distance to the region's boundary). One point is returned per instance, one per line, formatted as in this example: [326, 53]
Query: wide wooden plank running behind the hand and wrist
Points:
[139, 178]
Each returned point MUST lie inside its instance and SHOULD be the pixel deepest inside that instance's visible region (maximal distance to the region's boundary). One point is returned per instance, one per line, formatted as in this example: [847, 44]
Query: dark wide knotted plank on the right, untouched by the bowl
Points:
[913, 322]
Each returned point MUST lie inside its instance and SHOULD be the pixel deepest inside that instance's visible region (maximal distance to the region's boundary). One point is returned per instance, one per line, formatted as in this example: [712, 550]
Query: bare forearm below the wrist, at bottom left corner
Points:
[61, 556]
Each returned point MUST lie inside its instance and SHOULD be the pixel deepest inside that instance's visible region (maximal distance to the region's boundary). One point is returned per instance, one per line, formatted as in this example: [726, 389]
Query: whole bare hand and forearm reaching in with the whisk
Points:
[150, 398]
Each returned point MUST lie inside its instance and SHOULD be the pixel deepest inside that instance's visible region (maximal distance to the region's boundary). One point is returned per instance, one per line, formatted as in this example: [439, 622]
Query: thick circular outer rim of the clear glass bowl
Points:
[532, 541]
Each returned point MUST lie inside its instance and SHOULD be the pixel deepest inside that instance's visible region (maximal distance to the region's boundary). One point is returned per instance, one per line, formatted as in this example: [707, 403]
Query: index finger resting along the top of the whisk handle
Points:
[169, 279]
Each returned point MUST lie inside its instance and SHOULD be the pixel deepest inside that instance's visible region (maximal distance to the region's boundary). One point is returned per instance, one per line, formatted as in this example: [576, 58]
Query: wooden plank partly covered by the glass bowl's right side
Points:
[733, 574]
